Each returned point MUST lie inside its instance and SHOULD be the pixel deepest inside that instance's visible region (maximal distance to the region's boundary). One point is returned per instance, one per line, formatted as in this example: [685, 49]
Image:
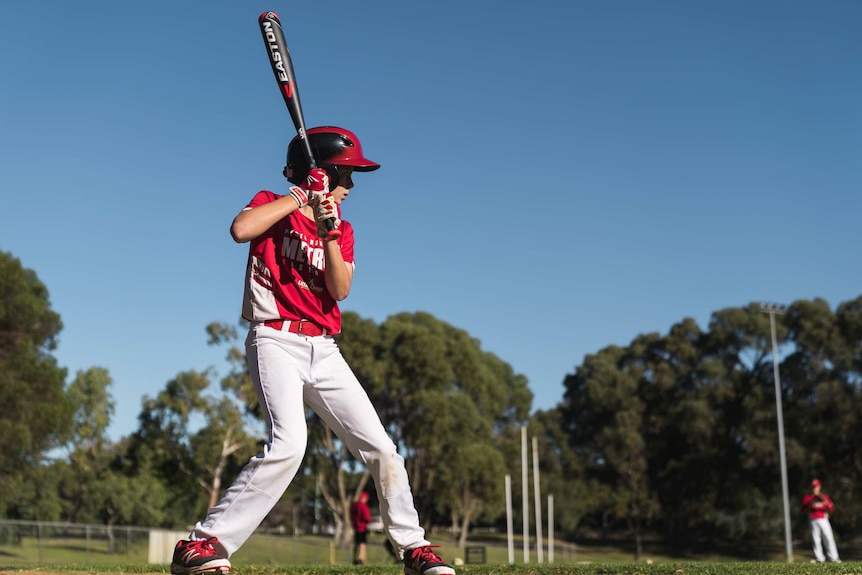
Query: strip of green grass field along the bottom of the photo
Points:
[309, 555]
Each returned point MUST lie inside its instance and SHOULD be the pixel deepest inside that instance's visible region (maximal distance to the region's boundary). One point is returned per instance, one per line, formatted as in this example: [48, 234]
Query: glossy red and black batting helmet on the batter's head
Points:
[331, 146]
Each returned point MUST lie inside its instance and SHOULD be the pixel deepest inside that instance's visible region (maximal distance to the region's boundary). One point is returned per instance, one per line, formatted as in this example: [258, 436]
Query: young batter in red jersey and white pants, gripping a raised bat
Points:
[294, 281]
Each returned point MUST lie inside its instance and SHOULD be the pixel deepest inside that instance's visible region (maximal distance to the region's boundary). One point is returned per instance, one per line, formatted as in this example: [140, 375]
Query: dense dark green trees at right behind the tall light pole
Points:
[682, 427]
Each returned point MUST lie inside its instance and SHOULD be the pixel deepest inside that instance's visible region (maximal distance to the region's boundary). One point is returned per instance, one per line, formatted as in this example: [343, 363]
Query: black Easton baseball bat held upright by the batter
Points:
[282, 67]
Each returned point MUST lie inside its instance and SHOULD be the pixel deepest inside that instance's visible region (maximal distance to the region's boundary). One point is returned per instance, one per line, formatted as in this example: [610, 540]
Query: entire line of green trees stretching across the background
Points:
[671, 436]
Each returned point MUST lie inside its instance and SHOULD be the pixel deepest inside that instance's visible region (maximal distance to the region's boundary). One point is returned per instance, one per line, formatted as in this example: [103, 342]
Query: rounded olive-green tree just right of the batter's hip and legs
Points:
[448, 405]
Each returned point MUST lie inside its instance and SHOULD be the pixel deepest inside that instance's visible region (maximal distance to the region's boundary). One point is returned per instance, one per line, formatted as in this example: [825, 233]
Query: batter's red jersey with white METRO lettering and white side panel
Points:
[284, 278]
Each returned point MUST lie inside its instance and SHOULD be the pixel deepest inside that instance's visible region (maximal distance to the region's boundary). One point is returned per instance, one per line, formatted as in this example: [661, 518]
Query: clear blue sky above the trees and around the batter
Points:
[558, 176]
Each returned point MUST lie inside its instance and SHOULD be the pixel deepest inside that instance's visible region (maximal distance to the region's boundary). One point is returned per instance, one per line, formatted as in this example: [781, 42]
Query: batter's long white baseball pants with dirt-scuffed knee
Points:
[288, 371]
